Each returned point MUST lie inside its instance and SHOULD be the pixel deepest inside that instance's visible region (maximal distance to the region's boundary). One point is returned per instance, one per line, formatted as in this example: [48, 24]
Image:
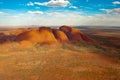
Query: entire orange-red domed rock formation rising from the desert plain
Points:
[46, 35]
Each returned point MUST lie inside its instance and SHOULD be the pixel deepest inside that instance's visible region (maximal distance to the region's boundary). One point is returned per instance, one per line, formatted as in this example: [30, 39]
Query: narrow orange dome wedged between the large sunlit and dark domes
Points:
[60, 35]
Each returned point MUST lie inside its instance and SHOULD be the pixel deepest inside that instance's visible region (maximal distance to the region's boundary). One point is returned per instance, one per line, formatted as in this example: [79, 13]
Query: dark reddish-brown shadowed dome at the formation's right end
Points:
[75, 34]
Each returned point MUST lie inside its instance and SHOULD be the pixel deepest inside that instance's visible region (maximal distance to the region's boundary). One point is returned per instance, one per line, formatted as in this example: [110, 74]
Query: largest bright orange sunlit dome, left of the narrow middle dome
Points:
[43, 35]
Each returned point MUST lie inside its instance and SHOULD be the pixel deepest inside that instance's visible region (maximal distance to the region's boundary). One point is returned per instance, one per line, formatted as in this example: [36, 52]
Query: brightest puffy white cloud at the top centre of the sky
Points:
[54, 3]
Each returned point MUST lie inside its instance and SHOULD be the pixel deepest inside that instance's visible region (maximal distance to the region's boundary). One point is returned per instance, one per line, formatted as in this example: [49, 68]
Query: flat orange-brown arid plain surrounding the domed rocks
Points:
[73, 61]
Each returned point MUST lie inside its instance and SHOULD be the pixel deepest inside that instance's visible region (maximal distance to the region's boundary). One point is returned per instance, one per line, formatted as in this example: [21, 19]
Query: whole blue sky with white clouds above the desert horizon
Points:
[60, 12]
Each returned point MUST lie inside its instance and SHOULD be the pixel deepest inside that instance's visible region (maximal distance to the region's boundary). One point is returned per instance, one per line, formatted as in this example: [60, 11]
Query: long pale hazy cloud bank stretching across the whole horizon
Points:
[58, 18]
